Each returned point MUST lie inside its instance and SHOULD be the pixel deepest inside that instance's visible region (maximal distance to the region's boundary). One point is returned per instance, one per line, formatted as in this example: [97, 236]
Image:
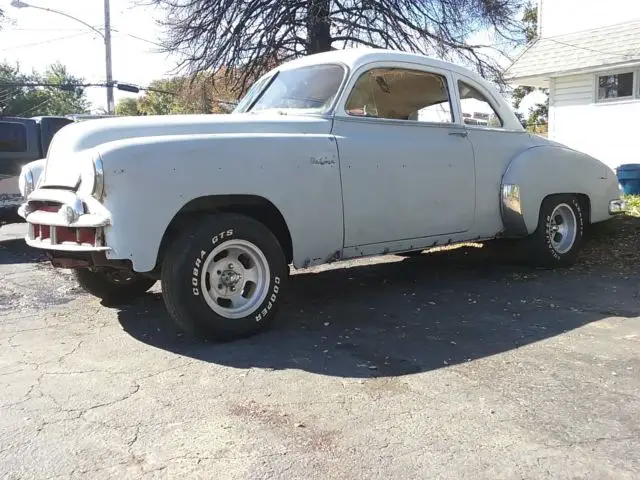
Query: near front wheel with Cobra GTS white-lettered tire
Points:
[224, 278]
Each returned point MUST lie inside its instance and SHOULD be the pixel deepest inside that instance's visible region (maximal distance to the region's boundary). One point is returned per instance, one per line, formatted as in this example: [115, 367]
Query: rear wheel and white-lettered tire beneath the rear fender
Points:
[556, 241]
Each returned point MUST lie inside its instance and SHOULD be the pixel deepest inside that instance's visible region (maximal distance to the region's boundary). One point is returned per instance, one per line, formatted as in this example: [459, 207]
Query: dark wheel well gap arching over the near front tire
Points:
[258, 208]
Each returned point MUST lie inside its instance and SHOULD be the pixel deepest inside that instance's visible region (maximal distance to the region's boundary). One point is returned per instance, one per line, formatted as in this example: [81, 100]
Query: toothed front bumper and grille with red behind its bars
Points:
[62, 220]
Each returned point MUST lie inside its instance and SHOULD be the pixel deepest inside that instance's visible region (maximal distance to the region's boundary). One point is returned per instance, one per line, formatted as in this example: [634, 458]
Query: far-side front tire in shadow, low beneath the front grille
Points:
[113, 286]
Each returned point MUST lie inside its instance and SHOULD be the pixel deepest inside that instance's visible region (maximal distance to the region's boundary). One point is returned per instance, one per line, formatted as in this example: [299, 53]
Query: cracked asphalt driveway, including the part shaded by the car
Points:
[445, 366]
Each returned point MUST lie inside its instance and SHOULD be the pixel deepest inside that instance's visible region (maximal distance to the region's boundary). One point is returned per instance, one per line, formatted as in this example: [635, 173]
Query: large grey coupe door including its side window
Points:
[407, 166]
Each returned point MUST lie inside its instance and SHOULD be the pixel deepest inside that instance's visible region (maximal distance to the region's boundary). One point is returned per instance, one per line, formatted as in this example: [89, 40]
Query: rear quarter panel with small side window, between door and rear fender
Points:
[494, 145]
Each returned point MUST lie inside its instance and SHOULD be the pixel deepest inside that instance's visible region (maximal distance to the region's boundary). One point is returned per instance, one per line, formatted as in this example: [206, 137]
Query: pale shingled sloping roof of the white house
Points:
[589, 50]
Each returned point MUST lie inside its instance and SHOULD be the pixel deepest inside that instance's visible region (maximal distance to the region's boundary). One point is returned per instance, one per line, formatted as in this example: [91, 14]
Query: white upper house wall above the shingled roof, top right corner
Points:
[559, 17]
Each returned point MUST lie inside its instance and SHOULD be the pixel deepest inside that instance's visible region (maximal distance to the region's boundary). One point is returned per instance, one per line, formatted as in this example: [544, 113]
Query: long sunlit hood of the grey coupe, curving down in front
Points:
[69, 143]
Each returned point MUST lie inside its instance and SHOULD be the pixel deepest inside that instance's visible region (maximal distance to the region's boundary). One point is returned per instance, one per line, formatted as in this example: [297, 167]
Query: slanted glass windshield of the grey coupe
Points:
[311, 88]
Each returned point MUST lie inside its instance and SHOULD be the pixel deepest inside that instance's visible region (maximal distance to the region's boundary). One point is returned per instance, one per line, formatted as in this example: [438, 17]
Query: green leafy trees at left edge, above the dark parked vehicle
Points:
[34, 101]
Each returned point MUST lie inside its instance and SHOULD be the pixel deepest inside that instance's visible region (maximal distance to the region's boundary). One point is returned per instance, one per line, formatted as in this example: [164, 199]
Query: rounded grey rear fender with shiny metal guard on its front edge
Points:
[545, 170]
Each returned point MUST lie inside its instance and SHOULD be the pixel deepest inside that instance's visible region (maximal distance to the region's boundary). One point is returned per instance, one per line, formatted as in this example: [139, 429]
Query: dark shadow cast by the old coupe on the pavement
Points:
[404, 317]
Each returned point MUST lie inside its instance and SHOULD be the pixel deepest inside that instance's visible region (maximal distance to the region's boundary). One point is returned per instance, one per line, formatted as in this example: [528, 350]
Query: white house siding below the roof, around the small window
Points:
[607, 131]
